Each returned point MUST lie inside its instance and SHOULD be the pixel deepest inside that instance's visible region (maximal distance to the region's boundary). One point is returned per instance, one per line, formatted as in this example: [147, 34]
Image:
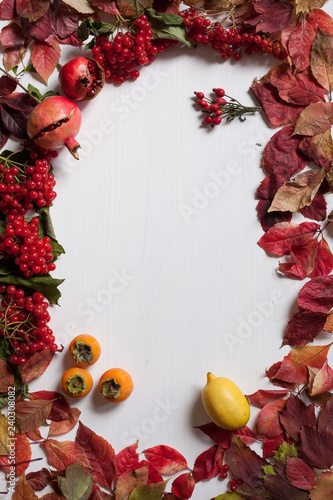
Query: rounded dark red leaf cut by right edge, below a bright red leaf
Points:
[317, 295]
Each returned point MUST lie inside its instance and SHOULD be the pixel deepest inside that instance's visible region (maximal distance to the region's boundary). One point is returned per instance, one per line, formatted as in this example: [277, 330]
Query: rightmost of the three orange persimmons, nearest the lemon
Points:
[115, 385]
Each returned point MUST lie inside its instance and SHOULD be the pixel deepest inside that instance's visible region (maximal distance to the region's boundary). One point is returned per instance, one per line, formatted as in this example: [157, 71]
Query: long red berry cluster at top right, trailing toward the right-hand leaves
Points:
[228, 41]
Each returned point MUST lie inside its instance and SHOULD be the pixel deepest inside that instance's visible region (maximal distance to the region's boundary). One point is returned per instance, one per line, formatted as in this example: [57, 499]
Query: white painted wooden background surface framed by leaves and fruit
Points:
[162, 263]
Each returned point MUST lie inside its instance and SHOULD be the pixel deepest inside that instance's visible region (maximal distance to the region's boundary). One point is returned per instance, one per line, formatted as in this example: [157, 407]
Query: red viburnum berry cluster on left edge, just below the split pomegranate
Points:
[26, 186]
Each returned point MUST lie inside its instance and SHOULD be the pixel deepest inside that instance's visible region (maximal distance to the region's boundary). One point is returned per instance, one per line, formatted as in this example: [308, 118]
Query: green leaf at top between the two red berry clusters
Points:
[166, 26]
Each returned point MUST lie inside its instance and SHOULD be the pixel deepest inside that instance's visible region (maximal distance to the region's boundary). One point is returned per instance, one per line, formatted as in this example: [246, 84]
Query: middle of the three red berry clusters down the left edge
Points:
[20, 241]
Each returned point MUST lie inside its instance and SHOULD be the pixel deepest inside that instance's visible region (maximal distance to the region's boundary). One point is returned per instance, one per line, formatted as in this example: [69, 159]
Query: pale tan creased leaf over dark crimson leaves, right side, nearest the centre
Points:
[298, 193]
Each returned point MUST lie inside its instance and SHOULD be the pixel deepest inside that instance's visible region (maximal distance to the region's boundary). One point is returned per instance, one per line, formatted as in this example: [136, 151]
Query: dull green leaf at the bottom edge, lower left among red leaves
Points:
[77, 484]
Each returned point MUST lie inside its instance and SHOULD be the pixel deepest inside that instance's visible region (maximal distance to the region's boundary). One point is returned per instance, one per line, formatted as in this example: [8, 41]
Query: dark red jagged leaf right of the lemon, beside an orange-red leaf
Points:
[295, 415]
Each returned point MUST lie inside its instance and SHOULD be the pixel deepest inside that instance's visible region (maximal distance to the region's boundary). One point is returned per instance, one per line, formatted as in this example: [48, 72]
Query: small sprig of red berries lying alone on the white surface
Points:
[220, 108]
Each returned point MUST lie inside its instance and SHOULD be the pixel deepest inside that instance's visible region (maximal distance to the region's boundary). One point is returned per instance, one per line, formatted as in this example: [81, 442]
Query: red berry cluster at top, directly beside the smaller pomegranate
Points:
[126, 51]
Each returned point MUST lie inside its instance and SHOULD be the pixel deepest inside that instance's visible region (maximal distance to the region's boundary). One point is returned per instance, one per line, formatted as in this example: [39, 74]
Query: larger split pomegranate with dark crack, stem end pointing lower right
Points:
[54, 123]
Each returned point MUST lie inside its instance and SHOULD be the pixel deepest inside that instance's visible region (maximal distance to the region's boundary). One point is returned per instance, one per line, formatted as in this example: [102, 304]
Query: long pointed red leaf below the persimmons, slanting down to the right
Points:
[100, 455]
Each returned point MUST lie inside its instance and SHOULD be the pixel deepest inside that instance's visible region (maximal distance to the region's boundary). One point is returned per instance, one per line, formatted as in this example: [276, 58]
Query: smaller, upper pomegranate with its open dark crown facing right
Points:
[82, 78]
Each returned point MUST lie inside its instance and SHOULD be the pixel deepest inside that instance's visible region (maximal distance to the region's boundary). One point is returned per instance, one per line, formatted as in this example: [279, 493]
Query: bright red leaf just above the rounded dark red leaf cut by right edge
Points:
[301, 262]
